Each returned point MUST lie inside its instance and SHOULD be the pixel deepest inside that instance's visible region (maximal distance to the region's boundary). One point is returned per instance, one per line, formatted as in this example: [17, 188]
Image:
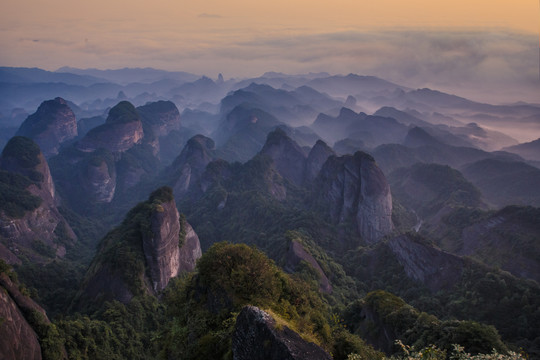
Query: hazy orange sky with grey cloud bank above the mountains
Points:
[439, 43]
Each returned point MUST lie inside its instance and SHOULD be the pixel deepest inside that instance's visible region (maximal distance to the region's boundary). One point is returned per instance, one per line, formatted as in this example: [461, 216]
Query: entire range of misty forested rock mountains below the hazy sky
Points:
[154, 214]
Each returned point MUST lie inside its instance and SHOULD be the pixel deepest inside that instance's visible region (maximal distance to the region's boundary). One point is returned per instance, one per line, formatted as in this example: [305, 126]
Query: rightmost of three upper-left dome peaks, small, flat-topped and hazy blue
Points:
[161, 116]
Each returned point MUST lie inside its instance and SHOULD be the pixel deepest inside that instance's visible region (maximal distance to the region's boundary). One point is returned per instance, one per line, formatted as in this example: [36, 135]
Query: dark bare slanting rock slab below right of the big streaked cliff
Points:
[427, 264]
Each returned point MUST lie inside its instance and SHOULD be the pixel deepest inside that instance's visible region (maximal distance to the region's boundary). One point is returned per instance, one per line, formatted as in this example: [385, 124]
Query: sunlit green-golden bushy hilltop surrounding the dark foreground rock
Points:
[203, 306]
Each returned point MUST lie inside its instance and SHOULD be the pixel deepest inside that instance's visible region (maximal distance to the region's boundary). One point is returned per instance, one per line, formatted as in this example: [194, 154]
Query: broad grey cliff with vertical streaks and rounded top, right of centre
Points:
[355, 190]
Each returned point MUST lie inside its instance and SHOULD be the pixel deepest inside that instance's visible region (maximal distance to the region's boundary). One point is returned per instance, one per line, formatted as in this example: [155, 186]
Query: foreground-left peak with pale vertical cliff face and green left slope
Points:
[151, 246]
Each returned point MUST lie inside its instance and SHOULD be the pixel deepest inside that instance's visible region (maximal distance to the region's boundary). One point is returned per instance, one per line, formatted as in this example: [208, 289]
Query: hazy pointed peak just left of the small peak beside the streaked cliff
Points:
[289, 158]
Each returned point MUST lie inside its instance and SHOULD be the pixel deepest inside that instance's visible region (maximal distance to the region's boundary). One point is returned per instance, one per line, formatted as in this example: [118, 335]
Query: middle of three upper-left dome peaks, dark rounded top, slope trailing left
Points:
[122, 130]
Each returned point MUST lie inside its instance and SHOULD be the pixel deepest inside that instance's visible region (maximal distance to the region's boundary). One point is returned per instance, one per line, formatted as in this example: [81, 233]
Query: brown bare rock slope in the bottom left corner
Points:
[17, 338]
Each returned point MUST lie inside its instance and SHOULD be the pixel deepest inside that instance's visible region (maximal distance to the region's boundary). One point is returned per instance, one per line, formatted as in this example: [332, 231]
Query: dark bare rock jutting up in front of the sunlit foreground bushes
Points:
[256, 338]
